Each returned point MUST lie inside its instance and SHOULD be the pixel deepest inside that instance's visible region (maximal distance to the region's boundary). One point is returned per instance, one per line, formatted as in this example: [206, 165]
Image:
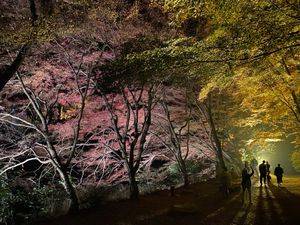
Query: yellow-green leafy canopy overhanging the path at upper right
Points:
[246, 49]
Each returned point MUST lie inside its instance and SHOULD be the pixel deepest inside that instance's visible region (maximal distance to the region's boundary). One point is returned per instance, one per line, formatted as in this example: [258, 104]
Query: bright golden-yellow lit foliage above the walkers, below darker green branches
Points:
[269, 95]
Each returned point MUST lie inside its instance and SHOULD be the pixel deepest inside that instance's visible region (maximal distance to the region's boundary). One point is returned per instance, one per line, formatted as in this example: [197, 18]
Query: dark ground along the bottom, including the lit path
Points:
[199, 204]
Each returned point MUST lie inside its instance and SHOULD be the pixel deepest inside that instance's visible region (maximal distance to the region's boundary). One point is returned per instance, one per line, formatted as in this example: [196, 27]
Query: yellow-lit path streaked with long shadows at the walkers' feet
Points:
[271, 206]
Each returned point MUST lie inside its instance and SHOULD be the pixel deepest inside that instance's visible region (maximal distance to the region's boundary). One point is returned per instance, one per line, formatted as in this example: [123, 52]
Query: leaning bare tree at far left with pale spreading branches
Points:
[42, 108]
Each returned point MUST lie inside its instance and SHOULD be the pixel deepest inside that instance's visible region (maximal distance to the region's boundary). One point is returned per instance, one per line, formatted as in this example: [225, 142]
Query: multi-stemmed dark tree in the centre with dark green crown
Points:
[137, 87]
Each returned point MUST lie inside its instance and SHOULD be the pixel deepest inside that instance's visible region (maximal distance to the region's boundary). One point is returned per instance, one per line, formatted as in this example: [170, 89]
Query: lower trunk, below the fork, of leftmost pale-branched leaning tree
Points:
[74, 203]
